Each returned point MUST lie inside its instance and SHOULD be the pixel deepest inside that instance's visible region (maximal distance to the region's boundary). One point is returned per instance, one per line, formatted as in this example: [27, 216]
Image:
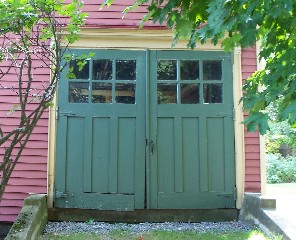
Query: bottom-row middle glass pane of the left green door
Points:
[102, 92]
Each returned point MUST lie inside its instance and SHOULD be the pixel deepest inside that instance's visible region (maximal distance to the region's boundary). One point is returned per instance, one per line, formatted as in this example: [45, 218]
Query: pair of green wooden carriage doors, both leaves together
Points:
[181, 113]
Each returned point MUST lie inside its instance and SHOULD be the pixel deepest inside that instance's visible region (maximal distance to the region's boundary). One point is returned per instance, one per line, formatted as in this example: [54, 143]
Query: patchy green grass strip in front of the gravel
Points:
[163, 235]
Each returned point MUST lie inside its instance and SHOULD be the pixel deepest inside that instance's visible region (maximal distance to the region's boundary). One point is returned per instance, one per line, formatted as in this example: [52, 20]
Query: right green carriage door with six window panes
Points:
[191, 130]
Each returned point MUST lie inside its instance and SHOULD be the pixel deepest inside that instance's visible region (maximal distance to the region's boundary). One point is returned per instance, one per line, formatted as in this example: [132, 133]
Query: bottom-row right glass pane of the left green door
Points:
[125, 93]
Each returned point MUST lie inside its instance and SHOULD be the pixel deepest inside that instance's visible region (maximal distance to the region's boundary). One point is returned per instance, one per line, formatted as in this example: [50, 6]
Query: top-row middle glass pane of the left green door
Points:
[102, 69]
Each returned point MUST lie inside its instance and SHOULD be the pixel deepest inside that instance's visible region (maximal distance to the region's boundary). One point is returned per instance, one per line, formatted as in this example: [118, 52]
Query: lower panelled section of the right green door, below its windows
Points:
[203, 173]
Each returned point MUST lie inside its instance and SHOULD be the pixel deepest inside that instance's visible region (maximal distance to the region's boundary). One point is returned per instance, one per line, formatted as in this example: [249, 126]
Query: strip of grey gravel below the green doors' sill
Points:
[105, 228]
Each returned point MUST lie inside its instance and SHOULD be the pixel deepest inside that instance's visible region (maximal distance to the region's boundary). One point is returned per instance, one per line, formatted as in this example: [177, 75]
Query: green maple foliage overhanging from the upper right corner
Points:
[244, 22]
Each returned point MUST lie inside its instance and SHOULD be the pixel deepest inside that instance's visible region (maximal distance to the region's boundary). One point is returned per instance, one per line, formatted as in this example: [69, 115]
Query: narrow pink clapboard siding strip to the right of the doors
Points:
[252, 144]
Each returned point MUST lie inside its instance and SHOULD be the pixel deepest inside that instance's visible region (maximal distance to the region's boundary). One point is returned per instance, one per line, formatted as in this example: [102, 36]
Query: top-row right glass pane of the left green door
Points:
[126, 69]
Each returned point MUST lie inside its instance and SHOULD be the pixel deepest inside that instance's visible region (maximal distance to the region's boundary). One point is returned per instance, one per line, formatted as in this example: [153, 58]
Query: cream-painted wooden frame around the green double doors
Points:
[127, 39]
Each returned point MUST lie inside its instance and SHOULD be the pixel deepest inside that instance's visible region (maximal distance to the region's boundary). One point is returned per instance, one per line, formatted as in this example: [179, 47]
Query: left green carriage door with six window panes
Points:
[101, 133]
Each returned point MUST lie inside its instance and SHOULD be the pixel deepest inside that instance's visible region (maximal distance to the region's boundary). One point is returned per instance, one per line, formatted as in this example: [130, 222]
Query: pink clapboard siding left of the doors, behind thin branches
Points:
[30, 173]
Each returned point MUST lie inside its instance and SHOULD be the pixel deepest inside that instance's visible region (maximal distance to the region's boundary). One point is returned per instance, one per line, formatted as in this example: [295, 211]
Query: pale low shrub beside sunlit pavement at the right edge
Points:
[280, 169]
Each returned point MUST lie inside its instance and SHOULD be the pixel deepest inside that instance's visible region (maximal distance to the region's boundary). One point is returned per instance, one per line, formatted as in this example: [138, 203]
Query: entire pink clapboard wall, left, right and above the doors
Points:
[30, 175]
